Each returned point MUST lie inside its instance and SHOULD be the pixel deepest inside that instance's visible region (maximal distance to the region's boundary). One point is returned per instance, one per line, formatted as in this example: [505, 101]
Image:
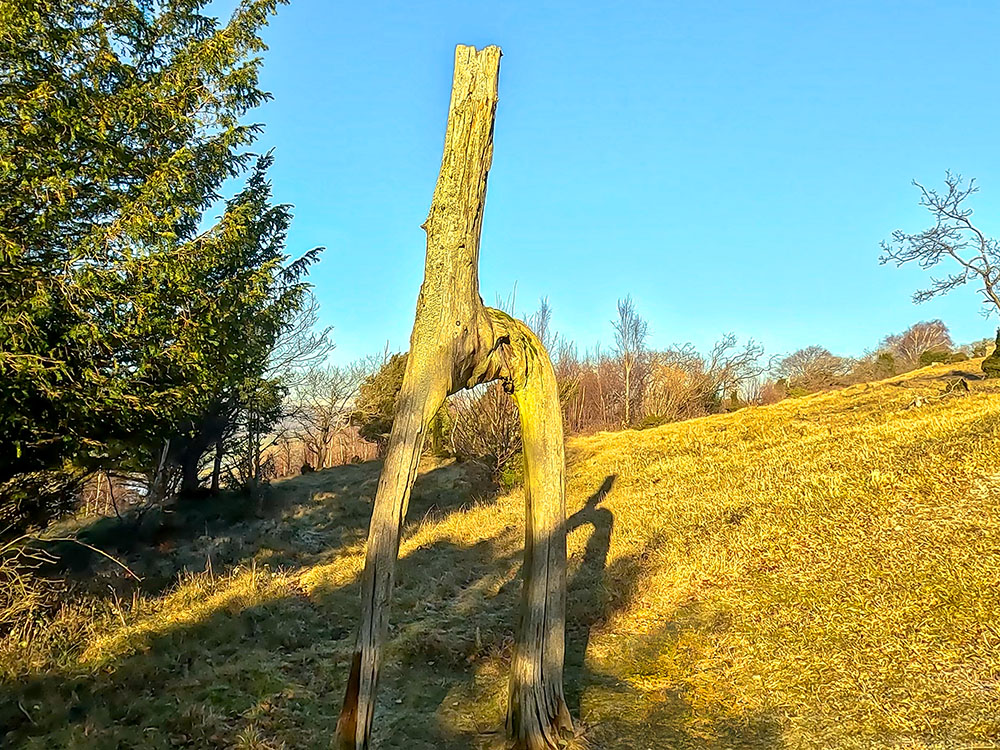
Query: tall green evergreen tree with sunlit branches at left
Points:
[120, 120]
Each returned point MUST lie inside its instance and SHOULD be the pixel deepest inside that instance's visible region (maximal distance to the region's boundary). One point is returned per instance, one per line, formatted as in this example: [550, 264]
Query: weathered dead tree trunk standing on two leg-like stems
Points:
[457, 343]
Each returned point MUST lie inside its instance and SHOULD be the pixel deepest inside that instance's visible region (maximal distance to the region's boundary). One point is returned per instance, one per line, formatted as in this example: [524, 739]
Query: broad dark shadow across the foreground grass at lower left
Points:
[273, 672]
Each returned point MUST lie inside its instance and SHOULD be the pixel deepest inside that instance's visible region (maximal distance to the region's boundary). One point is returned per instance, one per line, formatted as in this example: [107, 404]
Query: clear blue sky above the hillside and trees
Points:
[732, 166]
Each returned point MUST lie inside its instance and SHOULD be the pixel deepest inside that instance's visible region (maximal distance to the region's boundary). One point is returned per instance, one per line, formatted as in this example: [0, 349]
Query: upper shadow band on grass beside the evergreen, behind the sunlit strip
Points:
[297, 521]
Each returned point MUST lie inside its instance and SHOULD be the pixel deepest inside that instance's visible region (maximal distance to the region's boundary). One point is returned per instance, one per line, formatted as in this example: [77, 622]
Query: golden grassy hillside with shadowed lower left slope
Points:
[820, 573]
